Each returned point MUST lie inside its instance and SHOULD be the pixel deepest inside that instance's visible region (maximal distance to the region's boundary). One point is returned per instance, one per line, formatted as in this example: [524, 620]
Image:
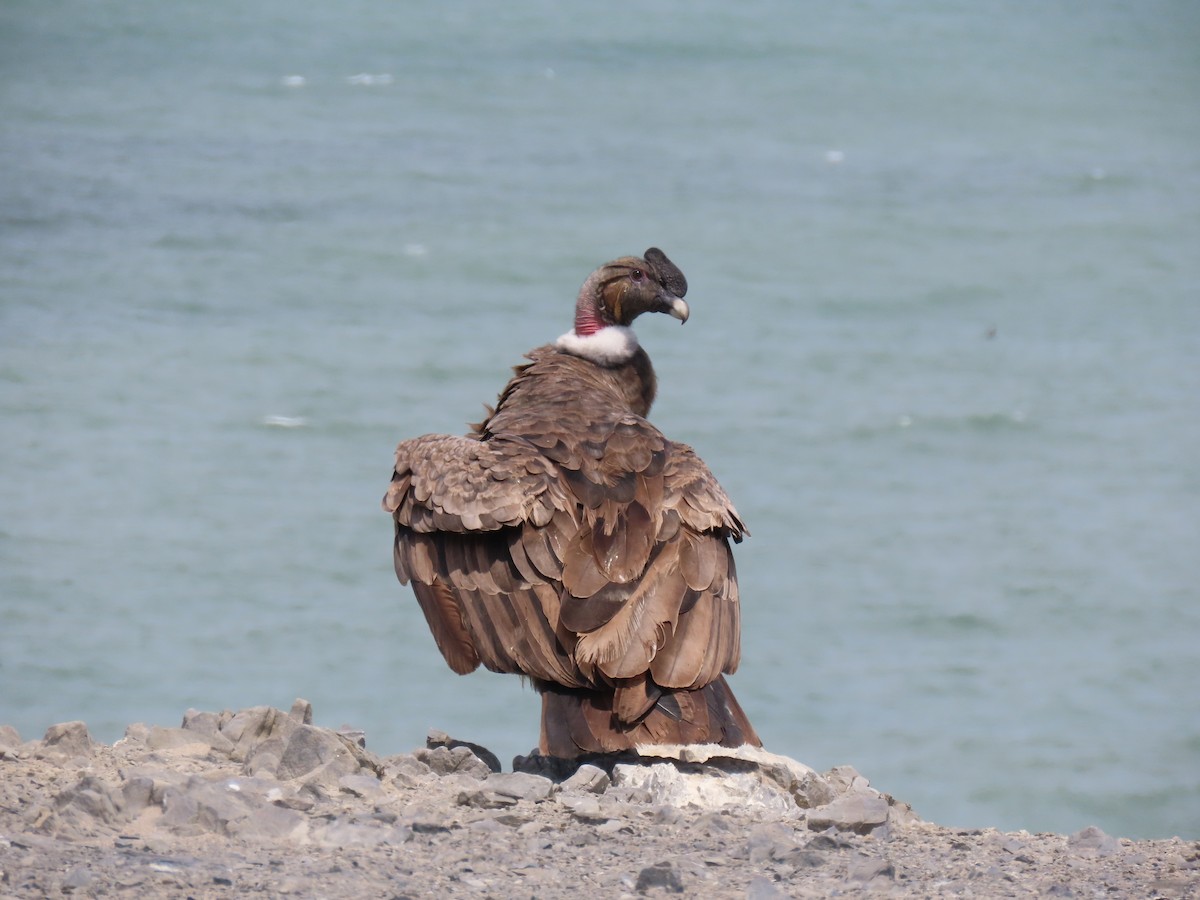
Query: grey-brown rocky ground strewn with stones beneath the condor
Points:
[262, 801]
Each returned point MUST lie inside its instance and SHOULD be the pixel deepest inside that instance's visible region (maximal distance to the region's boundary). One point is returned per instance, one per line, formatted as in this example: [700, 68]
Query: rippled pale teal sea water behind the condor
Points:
[944, 356]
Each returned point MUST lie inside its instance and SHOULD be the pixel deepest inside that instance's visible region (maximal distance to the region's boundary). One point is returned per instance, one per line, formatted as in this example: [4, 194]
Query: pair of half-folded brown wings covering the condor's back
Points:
[583, 557]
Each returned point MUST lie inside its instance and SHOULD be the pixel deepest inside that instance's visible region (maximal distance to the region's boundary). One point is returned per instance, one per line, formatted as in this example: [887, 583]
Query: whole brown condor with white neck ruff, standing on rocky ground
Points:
[568, 541]
